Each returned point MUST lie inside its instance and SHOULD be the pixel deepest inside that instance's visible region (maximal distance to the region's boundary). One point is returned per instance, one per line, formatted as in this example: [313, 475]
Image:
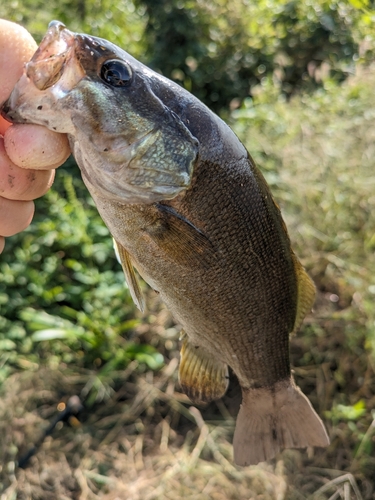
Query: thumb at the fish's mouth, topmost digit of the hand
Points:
[17, 47]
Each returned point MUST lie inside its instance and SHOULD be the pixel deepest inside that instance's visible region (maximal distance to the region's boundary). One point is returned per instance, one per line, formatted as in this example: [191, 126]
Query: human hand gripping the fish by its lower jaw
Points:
[28, 153]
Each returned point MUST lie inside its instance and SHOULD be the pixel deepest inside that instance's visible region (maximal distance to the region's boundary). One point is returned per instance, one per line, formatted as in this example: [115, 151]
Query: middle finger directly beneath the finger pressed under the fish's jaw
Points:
[20, 184]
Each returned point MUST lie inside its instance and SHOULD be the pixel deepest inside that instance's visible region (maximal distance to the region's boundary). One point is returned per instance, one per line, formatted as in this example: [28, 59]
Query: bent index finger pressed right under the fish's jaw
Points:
[34, 146]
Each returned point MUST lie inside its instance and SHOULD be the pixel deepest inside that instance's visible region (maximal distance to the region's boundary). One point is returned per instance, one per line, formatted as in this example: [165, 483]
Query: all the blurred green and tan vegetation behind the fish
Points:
[296, 82]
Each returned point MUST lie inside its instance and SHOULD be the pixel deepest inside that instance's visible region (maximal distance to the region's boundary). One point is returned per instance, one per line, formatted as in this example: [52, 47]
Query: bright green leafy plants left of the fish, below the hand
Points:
[62, 292]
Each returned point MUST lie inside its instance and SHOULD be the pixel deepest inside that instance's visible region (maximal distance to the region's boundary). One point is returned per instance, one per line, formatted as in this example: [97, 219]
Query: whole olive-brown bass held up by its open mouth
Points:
[192, 215]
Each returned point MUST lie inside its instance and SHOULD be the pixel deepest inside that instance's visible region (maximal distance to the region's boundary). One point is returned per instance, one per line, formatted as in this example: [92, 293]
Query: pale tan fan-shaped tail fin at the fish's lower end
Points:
[273, 418]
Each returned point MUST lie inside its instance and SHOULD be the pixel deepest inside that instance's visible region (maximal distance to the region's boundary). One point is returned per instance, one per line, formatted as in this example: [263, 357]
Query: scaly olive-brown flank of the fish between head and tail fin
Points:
[237, 298]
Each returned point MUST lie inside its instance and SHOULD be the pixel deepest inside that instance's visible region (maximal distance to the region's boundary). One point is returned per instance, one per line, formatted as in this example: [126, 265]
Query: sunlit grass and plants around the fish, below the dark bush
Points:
[138, 436]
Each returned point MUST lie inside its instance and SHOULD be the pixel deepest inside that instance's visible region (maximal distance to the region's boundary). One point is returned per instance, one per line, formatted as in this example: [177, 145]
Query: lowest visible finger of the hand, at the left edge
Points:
[15, 216]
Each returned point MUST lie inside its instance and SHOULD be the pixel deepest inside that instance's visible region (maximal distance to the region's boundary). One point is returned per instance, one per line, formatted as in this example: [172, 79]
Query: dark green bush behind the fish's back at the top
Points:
[220, 51]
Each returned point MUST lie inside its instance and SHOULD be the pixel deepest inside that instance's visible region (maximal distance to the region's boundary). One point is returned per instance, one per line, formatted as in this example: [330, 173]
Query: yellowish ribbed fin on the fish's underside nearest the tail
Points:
[202, 378]
